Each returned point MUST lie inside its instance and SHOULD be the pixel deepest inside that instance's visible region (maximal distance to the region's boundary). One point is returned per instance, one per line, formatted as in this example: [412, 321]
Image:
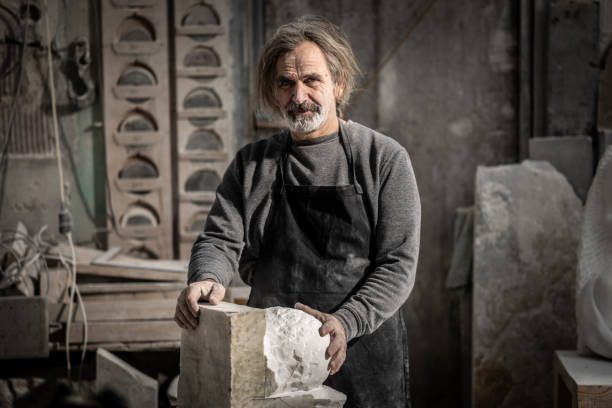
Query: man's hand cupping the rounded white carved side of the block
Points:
[335, 329]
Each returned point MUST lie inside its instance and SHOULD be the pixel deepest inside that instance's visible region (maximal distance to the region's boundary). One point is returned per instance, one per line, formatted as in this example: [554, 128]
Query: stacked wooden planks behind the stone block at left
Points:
[129, 303]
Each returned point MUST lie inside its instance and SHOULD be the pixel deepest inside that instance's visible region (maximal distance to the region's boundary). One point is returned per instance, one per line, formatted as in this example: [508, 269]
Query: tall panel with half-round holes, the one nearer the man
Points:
[214, 40]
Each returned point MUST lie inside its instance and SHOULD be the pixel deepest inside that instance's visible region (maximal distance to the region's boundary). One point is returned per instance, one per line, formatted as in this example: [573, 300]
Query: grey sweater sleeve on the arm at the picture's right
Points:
[397, 245]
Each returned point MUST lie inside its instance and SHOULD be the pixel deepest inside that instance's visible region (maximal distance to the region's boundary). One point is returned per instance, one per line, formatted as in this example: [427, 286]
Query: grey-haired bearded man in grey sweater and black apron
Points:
[324, 216]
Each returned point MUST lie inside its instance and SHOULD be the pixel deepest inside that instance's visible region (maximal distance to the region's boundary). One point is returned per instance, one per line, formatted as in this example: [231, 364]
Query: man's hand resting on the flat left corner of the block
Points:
[187, 310]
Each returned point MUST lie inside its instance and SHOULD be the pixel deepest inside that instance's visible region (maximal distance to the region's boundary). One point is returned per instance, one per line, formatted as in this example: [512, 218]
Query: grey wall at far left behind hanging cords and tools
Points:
[30, 187]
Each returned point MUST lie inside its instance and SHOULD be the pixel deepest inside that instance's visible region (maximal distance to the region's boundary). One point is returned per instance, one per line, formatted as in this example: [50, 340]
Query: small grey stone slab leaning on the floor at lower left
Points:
[138, 389]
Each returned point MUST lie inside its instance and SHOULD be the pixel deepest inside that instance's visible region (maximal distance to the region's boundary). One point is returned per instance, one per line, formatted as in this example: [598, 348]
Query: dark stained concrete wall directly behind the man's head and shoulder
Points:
[448, 94]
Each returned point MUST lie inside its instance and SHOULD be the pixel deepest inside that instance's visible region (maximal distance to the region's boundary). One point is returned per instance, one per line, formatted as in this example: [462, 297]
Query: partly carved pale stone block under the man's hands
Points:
[240, 356]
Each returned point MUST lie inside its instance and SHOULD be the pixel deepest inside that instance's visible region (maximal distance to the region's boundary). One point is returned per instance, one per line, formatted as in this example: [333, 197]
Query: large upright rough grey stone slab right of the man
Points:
[527, 224]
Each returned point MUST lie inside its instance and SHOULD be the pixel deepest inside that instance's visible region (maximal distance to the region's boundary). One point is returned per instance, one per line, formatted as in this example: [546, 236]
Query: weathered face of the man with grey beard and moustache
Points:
[304, 89]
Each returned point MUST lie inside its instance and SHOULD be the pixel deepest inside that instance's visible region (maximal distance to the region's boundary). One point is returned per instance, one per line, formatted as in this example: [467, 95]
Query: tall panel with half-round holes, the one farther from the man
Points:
[119, 101]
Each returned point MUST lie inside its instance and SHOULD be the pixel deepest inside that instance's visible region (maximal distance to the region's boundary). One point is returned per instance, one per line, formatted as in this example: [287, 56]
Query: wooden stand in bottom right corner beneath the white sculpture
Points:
[581, 382]
